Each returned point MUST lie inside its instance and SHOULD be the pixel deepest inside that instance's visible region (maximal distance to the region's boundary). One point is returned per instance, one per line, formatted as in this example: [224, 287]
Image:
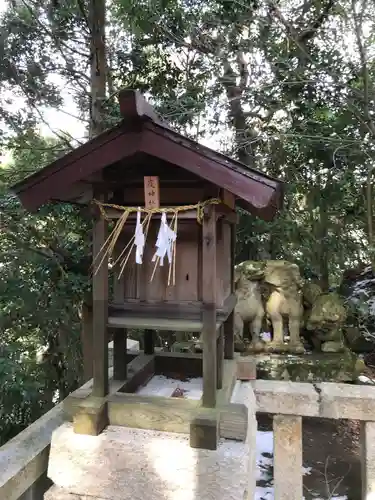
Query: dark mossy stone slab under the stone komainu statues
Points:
[310, 367]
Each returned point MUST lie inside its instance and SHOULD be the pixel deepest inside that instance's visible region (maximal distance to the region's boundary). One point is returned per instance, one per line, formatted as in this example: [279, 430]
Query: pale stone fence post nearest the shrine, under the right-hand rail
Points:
[287, 457]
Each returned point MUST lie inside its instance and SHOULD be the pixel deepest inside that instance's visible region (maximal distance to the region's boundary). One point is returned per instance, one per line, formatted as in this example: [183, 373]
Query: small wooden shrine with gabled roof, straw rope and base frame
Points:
[130, 176]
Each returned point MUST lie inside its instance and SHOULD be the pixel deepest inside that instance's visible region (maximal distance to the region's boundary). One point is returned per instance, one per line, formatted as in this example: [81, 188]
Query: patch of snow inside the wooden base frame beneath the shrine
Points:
[164, 387]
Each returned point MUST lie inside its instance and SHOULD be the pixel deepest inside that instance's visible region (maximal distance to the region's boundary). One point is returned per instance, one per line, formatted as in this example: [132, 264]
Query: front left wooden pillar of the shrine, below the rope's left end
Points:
[100, 311]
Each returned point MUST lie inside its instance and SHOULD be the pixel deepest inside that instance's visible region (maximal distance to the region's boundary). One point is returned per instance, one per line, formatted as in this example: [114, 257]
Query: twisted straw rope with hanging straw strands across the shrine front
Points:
[108, 247]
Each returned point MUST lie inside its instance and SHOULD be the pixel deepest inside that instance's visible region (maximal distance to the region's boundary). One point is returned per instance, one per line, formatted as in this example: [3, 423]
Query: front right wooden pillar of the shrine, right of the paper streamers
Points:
[209, 307]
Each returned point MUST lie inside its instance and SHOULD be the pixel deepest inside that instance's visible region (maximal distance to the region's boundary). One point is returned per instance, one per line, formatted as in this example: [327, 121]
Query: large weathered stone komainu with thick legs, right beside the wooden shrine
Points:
[269, 289]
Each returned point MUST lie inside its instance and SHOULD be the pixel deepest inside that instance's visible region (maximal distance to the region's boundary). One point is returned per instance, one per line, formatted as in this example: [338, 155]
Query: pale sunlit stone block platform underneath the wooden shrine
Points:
[134, 464]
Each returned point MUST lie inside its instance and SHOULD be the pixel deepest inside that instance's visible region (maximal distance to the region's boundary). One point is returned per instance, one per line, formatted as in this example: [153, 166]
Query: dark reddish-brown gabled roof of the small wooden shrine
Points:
[142, 131]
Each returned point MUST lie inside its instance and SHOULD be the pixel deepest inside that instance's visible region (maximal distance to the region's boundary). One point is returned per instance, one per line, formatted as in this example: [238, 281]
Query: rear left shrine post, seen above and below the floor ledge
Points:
[120, 334]
